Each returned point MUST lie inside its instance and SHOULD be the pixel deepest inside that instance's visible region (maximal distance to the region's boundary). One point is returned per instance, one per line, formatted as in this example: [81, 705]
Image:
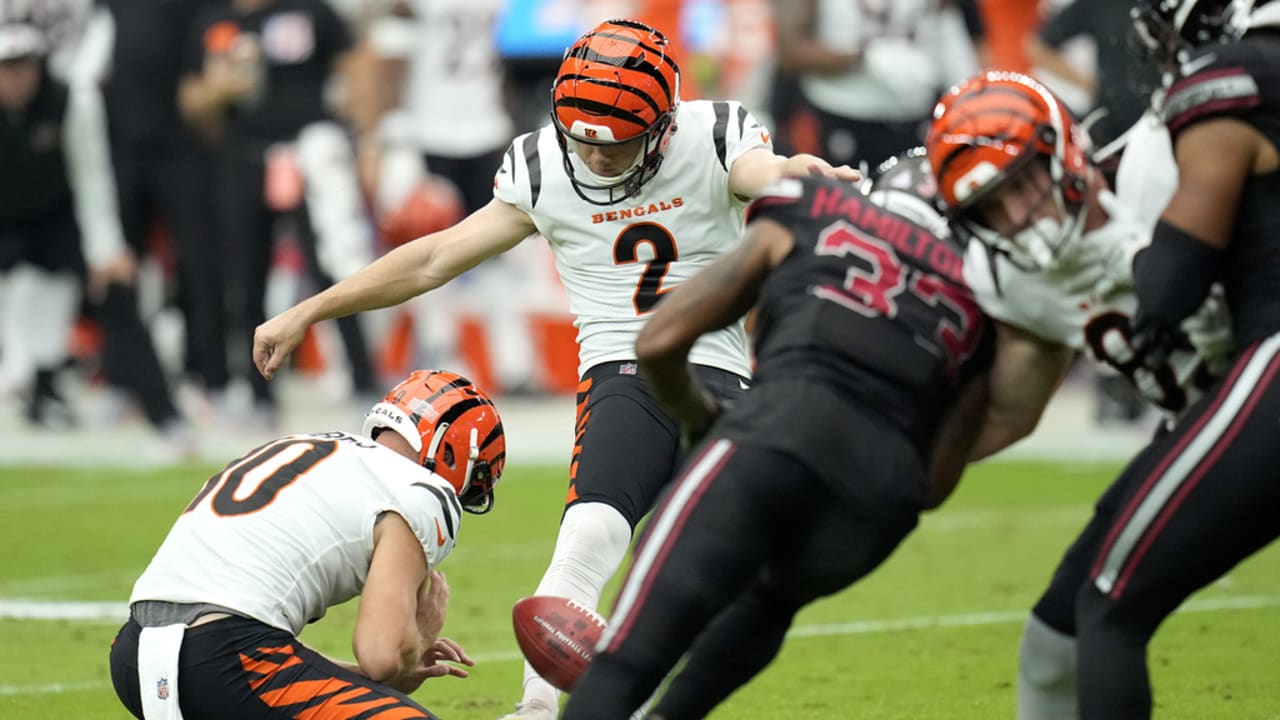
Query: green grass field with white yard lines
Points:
[932, 635]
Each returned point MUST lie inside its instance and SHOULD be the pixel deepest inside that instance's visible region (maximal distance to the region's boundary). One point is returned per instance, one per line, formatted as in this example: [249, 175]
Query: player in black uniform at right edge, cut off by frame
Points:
[1205, 496]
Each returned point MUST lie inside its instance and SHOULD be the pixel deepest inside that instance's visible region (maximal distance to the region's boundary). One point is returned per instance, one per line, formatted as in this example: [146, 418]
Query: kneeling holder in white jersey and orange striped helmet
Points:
[301, 525]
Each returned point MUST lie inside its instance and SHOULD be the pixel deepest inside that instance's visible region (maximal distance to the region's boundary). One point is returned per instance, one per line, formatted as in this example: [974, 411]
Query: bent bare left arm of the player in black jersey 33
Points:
[711, 300]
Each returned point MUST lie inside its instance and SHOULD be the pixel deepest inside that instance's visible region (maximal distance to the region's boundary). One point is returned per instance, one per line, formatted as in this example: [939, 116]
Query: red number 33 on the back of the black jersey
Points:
[877, 282]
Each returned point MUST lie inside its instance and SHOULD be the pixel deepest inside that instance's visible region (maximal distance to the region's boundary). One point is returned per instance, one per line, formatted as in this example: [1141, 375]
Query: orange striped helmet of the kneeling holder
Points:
[455, 429]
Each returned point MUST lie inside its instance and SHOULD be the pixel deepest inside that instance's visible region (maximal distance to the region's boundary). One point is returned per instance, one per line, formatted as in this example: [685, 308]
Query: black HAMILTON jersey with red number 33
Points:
[871, 308]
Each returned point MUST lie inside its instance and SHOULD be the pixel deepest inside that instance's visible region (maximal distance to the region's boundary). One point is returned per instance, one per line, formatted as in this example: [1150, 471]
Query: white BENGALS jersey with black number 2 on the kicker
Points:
[616, 261]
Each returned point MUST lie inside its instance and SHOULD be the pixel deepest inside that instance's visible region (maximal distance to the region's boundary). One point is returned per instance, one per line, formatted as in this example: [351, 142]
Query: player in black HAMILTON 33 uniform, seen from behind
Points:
[874, 367]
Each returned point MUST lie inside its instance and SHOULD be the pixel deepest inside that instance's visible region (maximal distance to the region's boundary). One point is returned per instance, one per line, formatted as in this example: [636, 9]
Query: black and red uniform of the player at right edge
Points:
[1205, 496]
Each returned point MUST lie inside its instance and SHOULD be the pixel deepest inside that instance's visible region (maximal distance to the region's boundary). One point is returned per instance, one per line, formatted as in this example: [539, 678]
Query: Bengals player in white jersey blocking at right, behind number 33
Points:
[1050, 252]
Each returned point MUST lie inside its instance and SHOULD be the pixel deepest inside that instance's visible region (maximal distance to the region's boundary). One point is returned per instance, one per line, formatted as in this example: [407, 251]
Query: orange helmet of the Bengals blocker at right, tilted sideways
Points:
[993, 129]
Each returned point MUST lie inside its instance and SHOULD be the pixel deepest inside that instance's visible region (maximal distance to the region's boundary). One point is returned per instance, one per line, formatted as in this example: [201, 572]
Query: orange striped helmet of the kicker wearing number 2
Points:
[619, 83]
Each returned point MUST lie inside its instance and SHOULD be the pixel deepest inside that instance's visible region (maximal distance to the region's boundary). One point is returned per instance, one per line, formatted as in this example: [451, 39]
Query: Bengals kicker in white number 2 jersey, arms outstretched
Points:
[636, 192]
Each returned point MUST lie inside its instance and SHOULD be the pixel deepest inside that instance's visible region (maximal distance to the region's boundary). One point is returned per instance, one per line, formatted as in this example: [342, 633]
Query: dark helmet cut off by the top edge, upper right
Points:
[1167, 28]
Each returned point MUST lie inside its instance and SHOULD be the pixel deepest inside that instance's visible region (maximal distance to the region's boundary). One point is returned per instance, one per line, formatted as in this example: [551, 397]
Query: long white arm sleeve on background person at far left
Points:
[89, 167]
